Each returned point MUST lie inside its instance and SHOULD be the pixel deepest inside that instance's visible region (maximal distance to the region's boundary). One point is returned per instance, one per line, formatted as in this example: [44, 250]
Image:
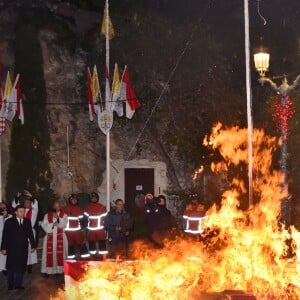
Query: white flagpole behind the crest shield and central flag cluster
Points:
[107, 101]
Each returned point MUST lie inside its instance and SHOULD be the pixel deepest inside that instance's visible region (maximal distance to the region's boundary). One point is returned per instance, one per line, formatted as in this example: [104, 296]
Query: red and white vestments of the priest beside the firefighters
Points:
[55, 244]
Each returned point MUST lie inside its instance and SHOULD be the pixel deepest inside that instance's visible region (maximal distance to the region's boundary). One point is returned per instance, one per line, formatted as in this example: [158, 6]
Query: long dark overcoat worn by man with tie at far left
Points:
[15, 241]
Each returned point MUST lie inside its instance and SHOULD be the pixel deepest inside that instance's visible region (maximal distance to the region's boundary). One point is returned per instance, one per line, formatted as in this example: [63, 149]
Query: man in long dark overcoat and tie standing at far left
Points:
[16, 233]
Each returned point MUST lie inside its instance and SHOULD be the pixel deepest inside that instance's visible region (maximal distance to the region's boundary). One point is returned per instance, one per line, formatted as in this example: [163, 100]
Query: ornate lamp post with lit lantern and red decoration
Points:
[261, 61]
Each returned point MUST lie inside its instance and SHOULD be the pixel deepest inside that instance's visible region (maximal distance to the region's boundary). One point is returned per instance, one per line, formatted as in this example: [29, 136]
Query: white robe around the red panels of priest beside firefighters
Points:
[50, 228]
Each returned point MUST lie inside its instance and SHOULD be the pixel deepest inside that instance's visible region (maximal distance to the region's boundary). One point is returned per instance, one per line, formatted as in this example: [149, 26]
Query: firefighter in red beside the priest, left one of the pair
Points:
[76, 239]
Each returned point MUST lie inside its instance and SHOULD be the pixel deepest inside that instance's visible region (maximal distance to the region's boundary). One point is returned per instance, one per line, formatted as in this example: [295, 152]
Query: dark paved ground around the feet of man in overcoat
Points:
[36, 287]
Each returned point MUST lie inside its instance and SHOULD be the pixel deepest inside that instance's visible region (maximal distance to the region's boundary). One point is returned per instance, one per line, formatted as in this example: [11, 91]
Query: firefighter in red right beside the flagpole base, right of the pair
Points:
[96, 213]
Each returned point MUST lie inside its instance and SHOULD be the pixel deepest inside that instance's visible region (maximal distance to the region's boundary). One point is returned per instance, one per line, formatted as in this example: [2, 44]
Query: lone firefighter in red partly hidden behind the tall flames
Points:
[193, 216]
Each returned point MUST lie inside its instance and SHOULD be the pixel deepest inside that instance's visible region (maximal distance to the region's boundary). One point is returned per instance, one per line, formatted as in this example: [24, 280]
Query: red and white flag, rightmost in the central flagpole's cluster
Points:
[127, 94]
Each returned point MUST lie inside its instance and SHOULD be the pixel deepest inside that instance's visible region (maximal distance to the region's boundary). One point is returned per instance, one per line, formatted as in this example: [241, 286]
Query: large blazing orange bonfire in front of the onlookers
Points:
[243, 250]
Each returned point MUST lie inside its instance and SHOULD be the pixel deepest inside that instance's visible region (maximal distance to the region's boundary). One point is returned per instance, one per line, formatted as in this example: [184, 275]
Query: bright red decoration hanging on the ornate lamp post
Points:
[283, 112]
